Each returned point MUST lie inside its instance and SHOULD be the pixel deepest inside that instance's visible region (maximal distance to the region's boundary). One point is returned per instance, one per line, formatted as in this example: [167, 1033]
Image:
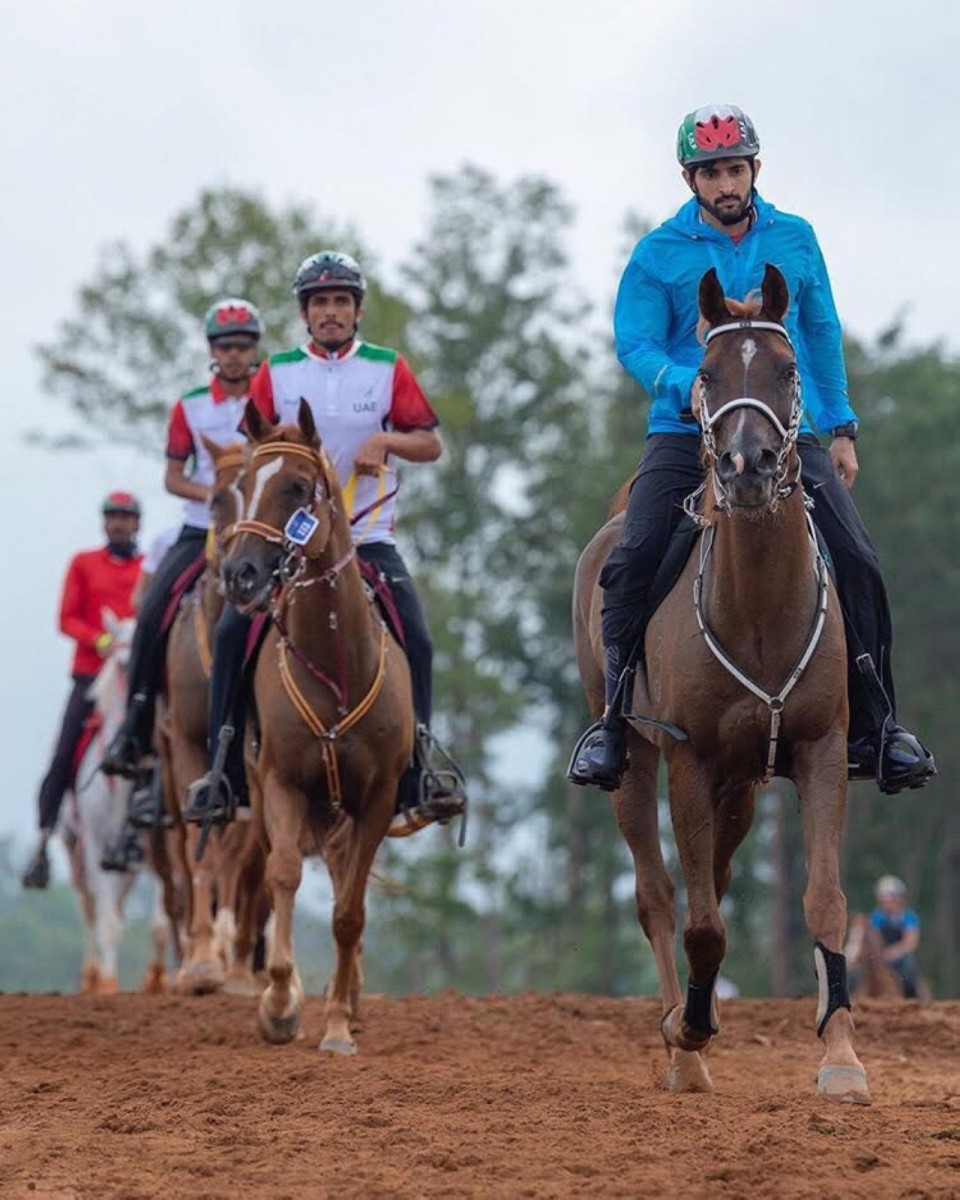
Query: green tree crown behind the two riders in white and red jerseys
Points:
[136, 340]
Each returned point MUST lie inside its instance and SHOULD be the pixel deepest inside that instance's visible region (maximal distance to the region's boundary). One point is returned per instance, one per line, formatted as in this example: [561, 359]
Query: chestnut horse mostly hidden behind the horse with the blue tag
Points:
[215, 956]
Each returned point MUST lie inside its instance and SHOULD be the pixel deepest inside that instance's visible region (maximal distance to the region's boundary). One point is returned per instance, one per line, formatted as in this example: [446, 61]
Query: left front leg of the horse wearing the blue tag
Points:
[285, 818]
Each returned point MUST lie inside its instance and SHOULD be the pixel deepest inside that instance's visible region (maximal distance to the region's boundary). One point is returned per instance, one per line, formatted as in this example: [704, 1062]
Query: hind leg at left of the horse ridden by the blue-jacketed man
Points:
[637, 809]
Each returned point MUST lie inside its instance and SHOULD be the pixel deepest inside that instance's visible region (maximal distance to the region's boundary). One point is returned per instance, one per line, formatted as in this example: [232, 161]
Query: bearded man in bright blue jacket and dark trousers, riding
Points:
[728, 226]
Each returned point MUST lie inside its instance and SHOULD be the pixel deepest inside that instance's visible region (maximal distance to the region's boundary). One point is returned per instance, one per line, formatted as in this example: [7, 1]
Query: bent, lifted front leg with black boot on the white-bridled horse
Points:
[705, 935]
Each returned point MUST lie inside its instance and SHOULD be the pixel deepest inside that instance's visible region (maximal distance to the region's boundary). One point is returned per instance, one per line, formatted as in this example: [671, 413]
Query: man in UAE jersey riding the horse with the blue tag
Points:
[370, 412]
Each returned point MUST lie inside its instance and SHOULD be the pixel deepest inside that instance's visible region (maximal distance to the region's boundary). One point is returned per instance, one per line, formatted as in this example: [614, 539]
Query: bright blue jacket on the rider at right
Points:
[656, 319]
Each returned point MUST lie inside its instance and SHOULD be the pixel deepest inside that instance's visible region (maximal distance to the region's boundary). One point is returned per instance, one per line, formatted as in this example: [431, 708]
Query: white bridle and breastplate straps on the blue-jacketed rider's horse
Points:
[782, 490]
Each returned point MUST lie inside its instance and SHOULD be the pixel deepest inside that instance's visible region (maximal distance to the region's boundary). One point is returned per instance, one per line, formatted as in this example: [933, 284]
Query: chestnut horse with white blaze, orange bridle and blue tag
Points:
[334, 705]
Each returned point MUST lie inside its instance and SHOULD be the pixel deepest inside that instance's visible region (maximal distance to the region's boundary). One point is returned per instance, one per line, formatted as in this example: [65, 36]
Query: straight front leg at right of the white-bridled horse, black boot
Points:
[820, 775]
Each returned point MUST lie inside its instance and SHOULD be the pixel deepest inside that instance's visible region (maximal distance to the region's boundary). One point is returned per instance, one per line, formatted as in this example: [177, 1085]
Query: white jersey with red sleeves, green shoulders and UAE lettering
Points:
[361, 391]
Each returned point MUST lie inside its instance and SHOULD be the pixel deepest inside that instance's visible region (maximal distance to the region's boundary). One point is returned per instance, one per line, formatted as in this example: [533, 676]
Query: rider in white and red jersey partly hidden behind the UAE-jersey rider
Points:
[215, 410]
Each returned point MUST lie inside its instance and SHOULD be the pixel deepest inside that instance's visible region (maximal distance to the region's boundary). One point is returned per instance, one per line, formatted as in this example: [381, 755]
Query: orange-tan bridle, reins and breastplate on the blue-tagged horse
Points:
[293, 567]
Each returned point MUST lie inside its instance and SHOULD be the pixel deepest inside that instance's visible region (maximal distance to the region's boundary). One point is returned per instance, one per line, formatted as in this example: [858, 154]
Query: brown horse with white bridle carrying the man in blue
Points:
[747, 659]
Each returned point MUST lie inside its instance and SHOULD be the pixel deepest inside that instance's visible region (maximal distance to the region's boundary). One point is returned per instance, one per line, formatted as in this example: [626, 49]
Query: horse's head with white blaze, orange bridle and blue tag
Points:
[290, 505]
